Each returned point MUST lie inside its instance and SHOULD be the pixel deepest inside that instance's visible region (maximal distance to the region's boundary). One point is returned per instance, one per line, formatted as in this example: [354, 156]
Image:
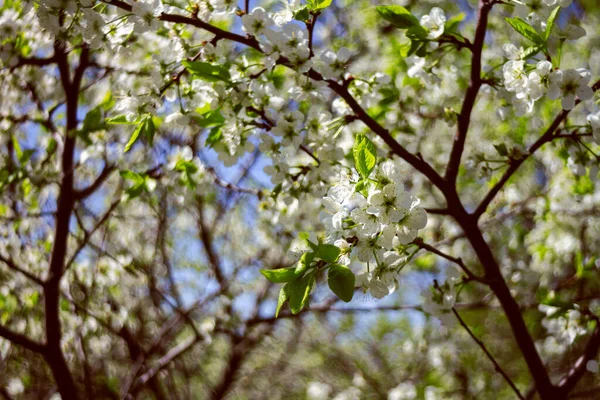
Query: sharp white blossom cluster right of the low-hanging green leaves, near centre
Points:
[373, 225]
